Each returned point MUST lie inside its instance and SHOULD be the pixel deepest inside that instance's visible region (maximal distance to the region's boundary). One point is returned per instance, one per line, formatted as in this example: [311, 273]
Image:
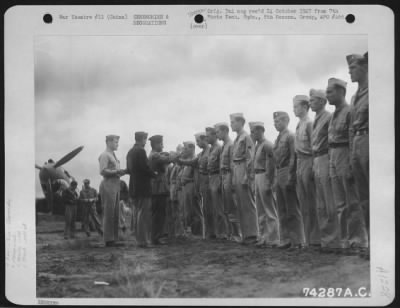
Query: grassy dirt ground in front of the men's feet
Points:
[191, 268]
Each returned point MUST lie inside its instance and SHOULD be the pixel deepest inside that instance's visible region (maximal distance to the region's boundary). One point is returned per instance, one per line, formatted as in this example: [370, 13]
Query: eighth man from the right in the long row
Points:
[226, 169]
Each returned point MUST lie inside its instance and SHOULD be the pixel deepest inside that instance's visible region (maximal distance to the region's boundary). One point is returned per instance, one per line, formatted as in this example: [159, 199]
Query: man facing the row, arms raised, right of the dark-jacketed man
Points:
[158, 162]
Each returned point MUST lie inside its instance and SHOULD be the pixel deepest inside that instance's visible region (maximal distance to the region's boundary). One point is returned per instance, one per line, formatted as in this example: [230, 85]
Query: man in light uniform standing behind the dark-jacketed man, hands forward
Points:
[109, 190]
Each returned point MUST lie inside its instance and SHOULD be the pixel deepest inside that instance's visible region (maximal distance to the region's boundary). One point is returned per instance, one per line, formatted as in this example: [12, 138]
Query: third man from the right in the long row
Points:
[326, 209]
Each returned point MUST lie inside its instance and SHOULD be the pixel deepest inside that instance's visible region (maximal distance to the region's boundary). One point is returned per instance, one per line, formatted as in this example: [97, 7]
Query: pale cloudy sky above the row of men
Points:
[87, 87]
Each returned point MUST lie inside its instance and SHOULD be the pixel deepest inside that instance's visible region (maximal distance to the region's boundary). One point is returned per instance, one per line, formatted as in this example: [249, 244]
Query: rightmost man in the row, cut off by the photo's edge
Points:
[359, 130]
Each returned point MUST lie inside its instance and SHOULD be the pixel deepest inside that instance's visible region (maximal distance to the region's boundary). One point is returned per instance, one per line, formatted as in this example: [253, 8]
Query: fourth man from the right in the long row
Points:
[305, 185]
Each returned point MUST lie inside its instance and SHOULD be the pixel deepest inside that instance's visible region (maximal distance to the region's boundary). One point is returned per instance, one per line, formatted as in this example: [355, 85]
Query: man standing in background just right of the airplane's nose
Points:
[88, 198]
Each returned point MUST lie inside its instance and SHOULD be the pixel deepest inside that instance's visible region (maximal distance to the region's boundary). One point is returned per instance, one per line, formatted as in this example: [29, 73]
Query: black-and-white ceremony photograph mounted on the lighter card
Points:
[202, 166]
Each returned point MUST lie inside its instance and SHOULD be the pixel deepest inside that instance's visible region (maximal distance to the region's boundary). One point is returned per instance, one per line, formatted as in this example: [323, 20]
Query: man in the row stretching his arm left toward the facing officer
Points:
[201, 182]
